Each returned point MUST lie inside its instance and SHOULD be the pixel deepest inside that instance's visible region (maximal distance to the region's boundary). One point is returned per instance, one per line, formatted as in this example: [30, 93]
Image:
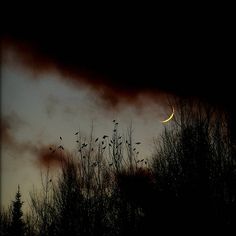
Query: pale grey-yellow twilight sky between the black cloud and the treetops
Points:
[38, 108]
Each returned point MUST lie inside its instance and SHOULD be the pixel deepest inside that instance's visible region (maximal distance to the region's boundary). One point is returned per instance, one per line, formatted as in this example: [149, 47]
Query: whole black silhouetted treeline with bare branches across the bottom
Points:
[108, 188]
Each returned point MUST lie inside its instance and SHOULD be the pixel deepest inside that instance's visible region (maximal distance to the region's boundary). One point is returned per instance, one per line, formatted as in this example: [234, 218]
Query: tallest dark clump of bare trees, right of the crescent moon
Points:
[194, 169]
